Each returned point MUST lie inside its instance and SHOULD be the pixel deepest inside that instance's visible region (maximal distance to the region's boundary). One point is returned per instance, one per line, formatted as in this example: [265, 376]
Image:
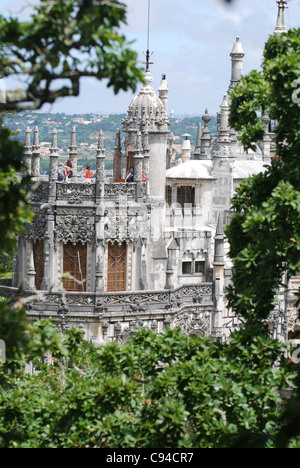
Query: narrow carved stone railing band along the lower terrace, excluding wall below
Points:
[123, 303]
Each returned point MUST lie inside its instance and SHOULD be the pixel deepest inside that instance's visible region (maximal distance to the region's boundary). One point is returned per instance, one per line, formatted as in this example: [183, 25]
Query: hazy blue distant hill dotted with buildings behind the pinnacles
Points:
[87, 130]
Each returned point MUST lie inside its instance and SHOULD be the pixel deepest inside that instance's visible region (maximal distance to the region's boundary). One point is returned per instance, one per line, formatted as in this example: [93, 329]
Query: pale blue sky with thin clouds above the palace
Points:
[190, 42]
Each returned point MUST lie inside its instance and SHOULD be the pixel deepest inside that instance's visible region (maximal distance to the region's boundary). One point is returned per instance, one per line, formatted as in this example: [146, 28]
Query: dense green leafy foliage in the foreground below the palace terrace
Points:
[164, 391]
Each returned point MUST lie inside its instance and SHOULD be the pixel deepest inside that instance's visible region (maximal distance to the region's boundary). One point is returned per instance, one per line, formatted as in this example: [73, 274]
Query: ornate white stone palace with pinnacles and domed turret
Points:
[110, 257]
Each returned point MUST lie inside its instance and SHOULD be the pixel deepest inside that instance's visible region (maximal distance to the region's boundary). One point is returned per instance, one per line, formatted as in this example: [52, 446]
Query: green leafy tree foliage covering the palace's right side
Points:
[264, 235]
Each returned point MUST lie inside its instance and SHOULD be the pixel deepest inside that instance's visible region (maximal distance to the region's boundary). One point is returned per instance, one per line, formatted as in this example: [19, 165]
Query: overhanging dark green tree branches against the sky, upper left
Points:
[66, 40]
